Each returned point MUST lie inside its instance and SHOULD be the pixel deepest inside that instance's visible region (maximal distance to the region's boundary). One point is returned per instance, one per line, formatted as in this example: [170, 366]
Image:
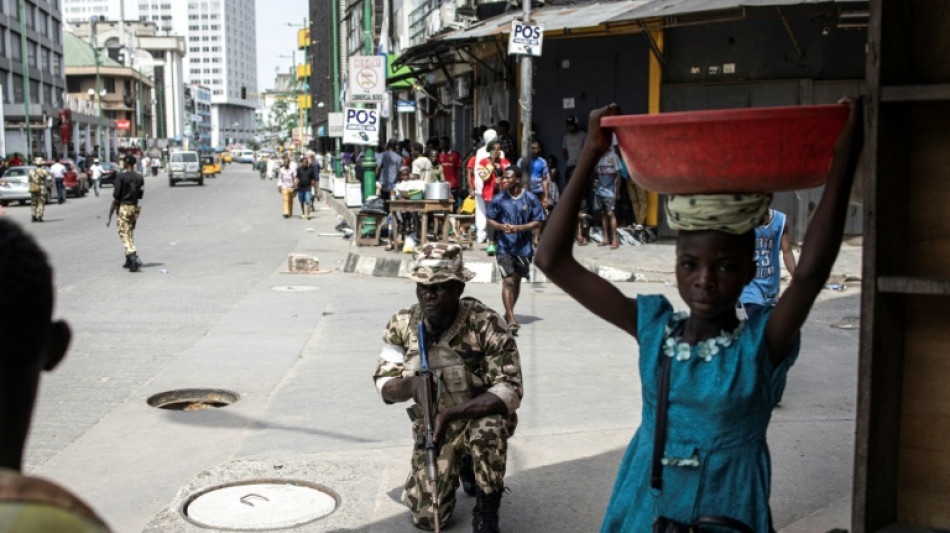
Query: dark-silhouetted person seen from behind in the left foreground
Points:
[33, 344]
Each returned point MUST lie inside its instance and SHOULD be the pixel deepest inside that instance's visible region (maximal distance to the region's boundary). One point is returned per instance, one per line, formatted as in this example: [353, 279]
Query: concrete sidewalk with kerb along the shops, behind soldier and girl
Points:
[644, 263]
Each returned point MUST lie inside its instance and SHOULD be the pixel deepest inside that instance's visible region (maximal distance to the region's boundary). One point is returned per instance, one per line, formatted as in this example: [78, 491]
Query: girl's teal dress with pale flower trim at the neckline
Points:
[716, 460]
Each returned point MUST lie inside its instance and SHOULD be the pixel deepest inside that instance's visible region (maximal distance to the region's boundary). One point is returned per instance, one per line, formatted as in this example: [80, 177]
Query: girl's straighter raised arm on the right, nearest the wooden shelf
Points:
[822, 240]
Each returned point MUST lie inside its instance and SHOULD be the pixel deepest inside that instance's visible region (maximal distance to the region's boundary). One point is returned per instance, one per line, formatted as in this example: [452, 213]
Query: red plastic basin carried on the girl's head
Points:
[768, 149]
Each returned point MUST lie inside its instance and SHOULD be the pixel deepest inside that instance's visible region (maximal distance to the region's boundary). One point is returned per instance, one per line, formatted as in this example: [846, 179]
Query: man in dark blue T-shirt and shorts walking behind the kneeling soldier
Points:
[514, 215]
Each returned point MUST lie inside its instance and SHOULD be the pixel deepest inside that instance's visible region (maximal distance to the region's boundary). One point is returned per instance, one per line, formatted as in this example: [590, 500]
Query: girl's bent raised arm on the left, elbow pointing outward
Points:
[555, 257]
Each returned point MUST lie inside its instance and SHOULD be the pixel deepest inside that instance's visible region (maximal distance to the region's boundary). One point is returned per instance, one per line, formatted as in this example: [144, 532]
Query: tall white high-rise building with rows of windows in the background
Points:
[221, 47]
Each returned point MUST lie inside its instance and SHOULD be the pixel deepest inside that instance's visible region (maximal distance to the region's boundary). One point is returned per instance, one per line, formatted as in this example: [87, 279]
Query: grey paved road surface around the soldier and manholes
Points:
[212, 308]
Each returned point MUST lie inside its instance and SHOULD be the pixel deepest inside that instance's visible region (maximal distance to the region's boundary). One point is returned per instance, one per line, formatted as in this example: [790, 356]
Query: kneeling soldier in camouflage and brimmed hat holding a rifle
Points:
[475, 388]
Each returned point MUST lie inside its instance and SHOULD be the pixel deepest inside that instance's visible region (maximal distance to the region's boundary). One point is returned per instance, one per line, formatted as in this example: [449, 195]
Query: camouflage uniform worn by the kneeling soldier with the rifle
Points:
[480, 337]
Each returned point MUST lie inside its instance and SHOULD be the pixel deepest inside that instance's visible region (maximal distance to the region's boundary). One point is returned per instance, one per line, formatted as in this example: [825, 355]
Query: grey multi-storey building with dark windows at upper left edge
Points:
[31, 74]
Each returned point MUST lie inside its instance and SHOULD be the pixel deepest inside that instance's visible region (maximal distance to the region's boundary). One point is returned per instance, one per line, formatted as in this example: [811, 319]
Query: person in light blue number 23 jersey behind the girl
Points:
[771, 238]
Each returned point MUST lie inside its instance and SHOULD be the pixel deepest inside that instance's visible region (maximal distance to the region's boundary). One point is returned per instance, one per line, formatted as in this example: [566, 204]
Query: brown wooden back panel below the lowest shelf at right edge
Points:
[924, 463]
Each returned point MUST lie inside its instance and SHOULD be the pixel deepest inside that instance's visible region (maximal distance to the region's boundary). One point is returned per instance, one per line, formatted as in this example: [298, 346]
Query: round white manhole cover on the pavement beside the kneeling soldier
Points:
[260, 504]
